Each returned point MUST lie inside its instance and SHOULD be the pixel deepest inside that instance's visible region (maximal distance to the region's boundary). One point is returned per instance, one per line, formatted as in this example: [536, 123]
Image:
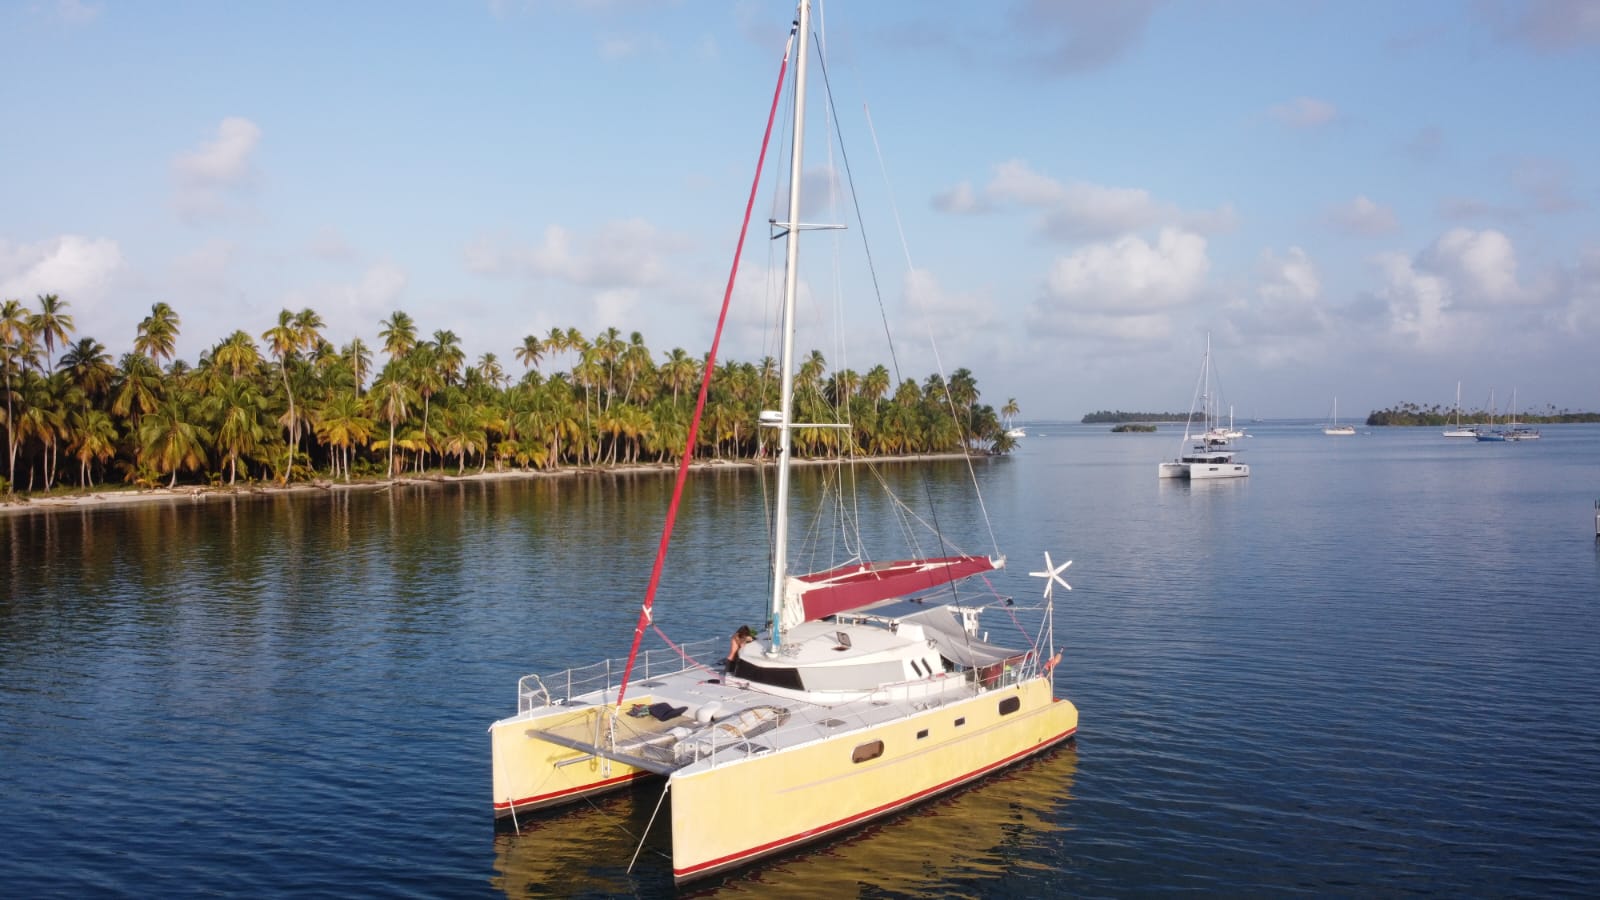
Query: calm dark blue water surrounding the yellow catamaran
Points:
[1370, 669]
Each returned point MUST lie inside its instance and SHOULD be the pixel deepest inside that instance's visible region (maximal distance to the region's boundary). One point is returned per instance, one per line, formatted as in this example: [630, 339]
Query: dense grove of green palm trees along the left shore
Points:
[289, 406]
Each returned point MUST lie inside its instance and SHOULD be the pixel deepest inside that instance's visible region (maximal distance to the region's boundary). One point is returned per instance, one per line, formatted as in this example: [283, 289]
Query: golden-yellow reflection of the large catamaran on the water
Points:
[967, 838]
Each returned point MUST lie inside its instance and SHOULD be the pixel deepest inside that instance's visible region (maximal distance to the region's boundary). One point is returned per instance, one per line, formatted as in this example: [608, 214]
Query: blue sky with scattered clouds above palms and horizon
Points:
[1361, 199]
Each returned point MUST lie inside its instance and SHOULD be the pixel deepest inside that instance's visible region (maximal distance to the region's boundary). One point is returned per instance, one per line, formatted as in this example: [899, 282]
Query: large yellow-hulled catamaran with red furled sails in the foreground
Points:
[871, 686]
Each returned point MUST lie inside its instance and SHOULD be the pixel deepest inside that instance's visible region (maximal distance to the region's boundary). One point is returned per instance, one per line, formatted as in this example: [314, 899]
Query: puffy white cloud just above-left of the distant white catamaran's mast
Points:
[1129, 276]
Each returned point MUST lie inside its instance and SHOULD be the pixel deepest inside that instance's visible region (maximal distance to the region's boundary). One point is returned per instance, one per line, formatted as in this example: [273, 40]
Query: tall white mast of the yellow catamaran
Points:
[786, 363]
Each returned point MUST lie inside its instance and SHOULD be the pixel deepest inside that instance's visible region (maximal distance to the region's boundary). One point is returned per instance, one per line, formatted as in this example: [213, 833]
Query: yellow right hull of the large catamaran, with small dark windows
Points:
[737, 813]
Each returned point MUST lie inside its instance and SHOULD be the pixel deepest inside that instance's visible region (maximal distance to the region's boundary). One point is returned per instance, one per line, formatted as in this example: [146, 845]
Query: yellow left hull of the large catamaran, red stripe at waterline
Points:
[532, 773]
